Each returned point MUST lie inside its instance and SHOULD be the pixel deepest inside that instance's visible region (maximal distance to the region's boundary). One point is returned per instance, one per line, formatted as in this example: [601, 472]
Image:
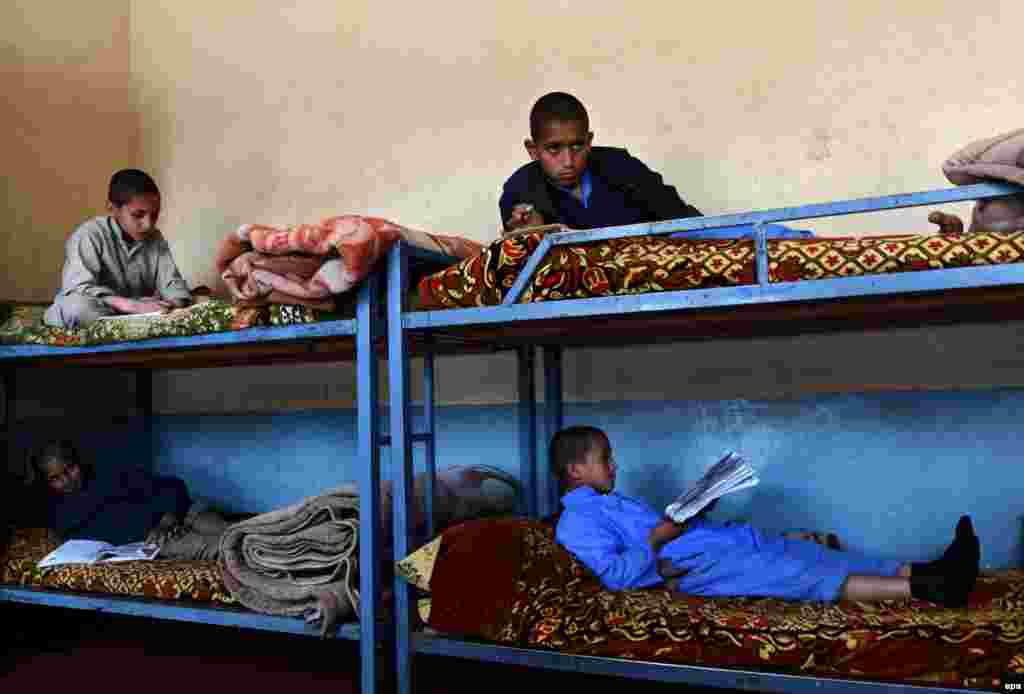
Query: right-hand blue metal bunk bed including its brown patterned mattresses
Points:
[529, 293]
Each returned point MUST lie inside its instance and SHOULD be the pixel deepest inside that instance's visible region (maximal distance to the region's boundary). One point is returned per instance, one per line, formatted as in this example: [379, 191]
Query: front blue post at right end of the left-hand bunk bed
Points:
[370, 482]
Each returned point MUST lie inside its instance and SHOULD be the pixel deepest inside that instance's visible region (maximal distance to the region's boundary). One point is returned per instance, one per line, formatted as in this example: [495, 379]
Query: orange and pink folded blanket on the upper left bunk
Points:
[309, 264]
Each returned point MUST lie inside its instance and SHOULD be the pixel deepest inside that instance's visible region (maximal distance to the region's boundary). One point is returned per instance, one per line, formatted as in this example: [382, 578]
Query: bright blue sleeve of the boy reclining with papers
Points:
[619, 568]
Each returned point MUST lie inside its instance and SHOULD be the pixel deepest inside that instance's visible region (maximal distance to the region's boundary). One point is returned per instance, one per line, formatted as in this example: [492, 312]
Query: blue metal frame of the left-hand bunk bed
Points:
[365, 330]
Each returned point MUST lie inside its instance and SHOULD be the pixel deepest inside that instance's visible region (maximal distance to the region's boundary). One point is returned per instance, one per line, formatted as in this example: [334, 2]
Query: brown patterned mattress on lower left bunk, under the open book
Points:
[165, 580]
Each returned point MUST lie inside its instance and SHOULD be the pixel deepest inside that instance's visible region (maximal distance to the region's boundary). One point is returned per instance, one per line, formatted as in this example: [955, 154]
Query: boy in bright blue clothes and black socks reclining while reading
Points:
[628, 546]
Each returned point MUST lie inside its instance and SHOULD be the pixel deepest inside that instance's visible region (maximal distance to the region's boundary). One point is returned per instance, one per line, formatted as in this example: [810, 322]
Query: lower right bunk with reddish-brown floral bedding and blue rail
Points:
[506, 592]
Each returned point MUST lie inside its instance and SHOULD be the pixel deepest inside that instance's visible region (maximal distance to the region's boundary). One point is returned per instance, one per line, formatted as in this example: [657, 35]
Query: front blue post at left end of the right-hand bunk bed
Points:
[402, 458]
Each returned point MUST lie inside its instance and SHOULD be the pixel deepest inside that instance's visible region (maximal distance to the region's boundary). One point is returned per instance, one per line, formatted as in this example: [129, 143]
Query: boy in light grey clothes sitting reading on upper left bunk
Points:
[119, 264]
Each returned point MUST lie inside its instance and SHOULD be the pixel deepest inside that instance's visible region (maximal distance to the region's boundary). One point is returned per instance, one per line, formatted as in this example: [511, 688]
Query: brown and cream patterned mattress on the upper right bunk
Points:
[647, 265]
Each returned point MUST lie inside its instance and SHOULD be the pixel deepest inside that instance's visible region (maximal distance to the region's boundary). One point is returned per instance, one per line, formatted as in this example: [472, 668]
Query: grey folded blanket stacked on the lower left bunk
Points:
[301, 560]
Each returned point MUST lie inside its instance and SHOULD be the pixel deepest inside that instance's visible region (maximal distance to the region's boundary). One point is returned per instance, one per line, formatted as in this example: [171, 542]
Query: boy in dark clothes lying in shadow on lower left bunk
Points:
[121, 505]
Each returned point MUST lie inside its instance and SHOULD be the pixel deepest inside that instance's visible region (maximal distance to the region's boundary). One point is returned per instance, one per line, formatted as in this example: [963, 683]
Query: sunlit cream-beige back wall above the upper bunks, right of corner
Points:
[417, 111]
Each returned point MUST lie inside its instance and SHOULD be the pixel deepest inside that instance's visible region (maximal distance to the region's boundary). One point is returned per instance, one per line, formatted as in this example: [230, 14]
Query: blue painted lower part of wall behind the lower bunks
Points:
[889, 472]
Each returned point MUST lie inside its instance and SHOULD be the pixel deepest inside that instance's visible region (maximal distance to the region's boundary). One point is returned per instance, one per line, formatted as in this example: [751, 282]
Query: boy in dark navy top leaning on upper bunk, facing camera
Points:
[570, 182]
